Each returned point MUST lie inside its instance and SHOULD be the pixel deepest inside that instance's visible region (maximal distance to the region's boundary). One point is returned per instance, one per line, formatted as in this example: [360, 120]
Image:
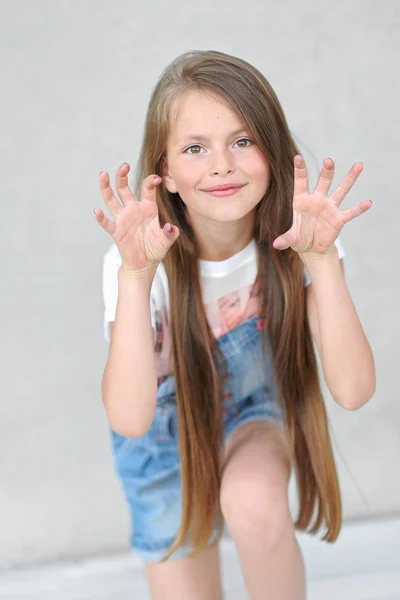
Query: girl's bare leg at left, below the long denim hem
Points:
[196, 578]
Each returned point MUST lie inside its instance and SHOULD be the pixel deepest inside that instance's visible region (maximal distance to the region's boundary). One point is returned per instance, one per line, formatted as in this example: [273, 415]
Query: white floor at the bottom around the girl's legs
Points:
[363, 565]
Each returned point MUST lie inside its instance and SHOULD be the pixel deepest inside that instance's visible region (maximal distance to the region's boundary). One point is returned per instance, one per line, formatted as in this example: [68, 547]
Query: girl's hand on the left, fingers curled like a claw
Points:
[136, 230]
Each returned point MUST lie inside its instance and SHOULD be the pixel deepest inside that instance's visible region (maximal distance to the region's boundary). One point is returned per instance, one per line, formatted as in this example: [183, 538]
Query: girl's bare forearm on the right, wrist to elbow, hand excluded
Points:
[345, 354]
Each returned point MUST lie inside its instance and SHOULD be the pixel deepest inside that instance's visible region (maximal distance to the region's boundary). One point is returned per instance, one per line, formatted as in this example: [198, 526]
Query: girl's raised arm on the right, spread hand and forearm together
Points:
[346, 357]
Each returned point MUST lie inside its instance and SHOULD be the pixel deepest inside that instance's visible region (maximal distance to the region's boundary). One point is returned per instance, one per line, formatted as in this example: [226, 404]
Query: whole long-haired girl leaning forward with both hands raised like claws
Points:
[224, 271]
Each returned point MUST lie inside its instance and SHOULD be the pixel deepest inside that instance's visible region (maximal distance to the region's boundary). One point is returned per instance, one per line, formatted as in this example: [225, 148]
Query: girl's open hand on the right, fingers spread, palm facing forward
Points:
[317, 220]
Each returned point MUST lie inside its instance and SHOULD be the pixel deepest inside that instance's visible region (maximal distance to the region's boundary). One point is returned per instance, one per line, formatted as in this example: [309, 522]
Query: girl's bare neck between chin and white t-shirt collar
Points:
[219, 241]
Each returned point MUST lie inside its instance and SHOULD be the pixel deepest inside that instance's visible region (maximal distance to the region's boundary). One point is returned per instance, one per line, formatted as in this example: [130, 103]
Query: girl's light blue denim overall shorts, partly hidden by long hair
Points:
[149, 466]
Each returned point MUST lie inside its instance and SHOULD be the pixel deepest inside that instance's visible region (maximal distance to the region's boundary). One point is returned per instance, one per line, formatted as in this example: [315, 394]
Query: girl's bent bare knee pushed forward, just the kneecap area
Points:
[255, 506]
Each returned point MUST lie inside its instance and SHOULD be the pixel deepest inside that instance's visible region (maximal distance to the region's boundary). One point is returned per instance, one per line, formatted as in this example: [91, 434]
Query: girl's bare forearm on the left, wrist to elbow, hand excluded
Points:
[129, 382]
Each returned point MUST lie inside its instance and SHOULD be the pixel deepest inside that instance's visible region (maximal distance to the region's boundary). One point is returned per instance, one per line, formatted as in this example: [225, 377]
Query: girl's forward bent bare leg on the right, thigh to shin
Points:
[255, 506]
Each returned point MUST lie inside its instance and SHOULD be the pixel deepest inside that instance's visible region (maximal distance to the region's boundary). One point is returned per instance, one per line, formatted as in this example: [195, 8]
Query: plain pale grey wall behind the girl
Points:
[75, 82]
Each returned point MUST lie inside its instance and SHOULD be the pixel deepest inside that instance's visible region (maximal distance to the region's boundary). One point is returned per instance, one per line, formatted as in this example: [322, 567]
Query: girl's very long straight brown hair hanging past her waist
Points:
[198, 366]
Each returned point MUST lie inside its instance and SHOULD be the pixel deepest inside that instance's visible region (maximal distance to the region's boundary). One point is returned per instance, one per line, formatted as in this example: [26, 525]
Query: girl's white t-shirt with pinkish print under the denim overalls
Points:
[227, 290]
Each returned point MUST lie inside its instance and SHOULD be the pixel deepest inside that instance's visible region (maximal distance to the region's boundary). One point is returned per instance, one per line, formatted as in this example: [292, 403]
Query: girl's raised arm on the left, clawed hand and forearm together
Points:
[129, 384]
